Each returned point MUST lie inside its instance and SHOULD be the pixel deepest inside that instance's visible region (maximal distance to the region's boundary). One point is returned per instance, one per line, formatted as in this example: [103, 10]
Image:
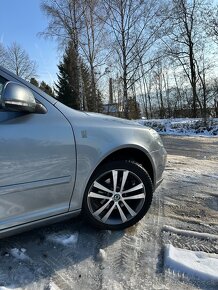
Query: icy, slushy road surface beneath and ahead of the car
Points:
[130, 259]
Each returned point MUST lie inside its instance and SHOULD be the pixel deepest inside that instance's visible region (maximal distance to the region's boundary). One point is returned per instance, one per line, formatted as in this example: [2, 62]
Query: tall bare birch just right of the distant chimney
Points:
[134, 28]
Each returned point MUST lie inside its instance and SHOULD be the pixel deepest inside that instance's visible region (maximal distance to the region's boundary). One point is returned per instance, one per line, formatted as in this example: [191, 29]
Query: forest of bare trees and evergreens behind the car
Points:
[134, 58]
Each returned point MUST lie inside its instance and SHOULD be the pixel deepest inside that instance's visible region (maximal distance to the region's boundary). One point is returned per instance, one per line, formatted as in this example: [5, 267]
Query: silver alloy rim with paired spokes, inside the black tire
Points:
[116, 196]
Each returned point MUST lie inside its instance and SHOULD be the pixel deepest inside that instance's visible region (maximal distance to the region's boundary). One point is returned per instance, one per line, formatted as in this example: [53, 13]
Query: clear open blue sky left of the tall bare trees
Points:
[20, 21]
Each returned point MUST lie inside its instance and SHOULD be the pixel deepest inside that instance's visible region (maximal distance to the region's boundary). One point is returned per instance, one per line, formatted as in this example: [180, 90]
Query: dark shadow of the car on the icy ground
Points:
[29, 258]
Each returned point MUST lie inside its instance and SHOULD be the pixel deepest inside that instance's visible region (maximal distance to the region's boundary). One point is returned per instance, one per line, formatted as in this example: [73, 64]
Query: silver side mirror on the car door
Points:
[16, 97]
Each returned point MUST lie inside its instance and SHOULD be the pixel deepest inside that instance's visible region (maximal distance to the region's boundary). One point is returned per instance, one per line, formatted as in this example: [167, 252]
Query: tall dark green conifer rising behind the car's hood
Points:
[74, 85]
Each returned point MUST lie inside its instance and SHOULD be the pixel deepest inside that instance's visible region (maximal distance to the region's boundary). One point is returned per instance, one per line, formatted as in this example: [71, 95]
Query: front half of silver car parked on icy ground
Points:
[56, 162]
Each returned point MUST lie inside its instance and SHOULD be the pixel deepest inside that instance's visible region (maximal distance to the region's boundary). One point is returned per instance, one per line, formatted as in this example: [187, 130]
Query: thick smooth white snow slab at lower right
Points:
[198, 264]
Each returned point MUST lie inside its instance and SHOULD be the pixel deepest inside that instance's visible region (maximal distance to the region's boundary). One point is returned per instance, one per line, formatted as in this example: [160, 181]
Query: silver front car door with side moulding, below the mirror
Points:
[37, 164]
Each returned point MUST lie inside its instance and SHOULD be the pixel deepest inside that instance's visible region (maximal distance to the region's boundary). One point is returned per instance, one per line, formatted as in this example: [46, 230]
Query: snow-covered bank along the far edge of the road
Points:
[183, 126]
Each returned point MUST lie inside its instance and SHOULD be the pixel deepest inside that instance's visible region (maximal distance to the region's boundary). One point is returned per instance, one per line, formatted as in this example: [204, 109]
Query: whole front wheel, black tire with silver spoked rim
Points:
[118, 195]
